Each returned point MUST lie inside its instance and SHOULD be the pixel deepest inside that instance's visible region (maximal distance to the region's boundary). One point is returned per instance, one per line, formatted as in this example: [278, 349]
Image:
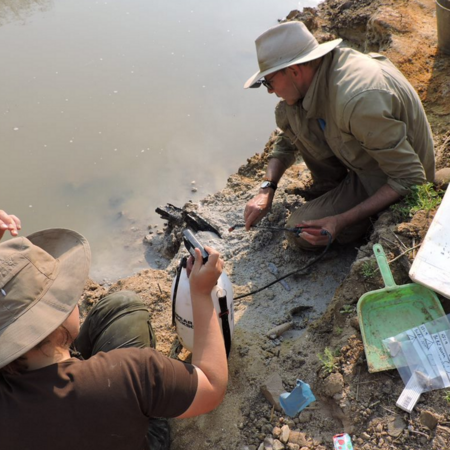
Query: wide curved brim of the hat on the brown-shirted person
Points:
[74, 256]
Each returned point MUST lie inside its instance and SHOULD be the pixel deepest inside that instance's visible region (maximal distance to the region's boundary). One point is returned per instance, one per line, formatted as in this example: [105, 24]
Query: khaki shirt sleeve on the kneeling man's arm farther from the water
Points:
[374, 118]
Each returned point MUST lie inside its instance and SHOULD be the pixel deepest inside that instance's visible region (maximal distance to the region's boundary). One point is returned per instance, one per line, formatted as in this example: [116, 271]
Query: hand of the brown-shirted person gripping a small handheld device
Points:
[203, 277]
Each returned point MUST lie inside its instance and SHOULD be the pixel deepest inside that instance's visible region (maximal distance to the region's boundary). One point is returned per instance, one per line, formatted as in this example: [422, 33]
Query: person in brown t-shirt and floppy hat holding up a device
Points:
[114, 396]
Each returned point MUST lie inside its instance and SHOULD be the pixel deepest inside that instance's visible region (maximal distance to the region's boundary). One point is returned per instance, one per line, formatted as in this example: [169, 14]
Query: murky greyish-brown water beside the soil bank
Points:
[112, 108]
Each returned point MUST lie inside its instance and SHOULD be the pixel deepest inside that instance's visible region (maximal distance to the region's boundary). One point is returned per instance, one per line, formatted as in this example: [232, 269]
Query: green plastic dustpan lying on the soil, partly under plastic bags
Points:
[389, 311]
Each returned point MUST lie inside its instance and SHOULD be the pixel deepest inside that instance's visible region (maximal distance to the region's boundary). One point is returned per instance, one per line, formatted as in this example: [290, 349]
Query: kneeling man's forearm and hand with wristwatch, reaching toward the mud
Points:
[259, 205]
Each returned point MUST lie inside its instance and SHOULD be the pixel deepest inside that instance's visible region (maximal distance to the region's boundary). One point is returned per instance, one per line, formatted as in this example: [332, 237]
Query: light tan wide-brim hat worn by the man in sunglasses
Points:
[285, 45]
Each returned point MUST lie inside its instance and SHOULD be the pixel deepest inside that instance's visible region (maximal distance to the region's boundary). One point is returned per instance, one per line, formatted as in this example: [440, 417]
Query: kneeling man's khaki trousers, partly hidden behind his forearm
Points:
[349, 193]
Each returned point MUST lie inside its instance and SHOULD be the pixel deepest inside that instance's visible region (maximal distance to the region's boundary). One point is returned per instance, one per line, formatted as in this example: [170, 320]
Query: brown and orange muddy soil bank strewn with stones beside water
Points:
[321, 302]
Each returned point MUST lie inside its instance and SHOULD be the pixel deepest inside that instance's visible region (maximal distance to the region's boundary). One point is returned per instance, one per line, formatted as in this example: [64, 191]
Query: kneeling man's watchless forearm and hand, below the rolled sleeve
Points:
[384, 197]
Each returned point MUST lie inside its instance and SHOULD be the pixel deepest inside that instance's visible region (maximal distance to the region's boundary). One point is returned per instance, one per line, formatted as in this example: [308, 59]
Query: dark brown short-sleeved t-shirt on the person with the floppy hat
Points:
[101, 403]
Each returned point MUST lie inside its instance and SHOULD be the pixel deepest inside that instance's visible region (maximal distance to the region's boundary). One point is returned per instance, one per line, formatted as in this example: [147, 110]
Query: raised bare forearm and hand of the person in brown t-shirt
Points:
[208, 354]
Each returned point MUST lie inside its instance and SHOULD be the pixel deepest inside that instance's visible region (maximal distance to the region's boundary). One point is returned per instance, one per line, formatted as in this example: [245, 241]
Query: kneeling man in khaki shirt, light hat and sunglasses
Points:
[357, 123]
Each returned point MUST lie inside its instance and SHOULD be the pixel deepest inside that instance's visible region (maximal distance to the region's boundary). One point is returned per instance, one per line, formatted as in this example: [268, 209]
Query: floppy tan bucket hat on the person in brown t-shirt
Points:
[42, 277]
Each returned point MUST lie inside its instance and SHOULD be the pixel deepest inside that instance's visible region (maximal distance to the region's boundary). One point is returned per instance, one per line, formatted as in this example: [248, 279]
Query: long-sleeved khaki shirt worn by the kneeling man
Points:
[372, 120]
